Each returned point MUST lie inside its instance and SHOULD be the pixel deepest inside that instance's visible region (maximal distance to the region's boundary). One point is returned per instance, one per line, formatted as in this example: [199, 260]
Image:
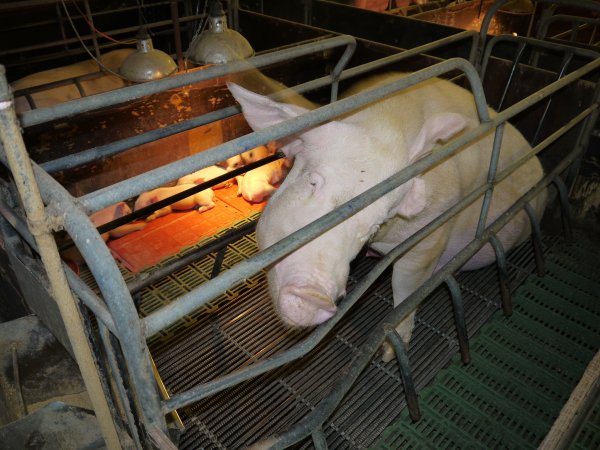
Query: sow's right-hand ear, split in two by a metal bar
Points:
[439, 127]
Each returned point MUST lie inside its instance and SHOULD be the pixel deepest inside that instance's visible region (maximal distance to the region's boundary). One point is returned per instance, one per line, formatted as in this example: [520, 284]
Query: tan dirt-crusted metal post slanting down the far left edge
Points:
[20, 166]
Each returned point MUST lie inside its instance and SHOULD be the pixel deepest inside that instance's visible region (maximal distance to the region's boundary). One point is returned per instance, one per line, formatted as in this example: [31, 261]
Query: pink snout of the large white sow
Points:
[304, 307]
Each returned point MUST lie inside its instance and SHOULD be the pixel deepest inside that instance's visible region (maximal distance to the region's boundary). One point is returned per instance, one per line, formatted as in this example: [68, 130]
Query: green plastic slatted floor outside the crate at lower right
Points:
[523, 368]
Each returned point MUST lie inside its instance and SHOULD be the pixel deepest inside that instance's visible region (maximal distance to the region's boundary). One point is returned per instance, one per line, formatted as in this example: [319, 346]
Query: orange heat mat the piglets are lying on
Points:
[168, 235]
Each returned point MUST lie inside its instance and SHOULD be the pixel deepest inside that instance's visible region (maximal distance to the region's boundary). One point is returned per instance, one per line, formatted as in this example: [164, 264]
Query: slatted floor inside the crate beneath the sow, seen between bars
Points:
[240, 328]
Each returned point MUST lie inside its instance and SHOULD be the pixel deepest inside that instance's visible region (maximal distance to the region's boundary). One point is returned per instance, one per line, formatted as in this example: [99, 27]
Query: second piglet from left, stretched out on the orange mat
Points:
[202, 199]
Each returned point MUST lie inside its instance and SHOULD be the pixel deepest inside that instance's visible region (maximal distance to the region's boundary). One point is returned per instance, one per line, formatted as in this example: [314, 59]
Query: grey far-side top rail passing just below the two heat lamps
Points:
[110, 98]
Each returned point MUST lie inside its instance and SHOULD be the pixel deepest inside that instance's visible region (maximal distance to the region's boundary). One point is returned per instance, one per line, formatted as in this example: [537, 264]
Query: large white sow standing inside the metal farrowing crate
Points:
[340, 159]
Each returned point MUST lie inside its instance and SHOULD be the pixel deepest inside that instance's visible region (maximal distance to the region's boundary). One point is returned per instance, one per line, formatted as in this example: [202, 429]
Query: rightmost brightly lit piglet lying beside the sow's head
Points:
[258, 184]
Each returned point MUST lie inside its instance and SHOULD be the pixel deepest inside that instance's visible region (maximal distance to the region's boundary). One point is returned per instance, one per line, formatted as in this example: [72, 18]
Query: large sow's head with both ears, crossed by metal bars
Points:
[333, 163]
